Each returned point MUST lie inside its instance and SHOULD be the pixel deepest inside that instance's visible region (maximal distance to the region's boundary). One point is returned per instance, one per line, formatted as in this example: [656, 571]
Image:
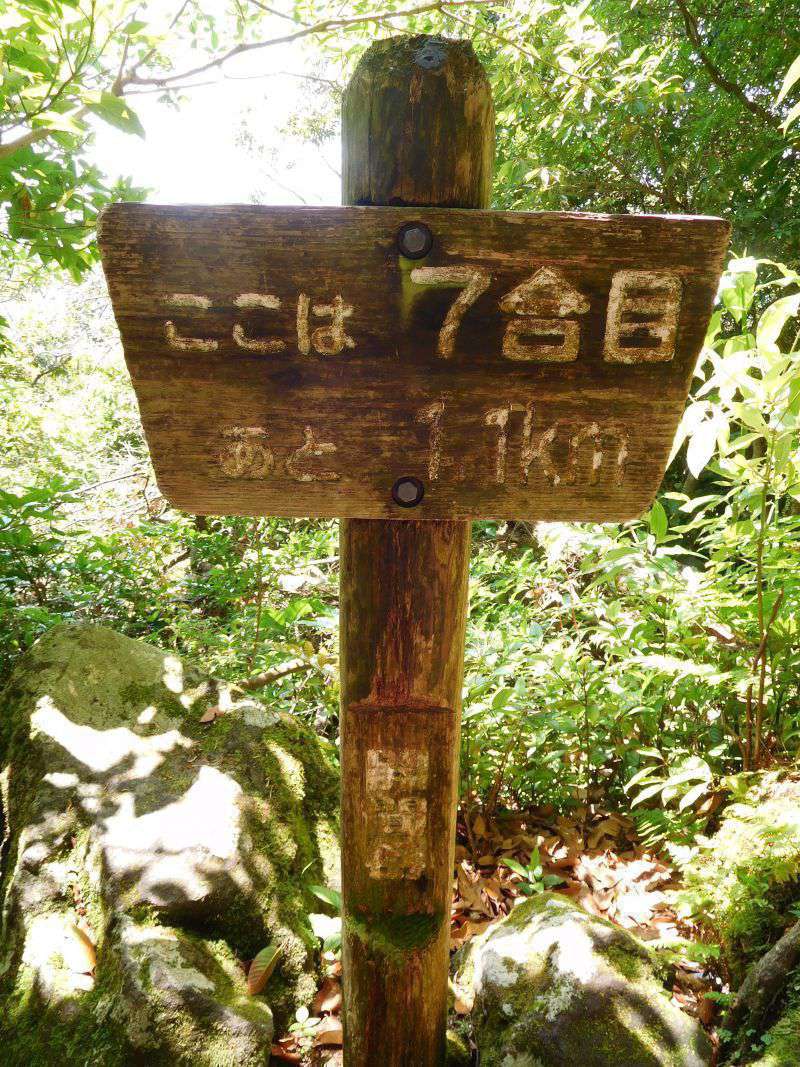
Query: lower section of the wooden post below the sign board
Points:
[404, 610]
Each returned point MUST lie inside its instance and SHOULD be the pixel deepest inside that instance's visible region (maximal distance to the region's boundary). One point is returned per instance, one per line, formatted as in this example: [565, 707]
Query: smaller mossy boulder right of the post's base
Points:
[554, 986]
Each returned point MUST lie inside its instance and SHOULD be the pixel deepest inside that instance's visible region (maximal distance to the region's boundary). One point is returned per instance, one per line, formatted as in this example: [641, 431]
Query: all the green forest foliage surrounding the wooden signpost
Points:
[653, 665]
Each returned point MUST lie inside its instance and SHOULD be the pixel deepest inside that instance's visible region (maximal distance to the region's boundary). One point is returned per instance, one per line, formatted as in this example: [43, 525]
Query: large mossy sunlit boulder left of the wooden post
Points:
[147, 853]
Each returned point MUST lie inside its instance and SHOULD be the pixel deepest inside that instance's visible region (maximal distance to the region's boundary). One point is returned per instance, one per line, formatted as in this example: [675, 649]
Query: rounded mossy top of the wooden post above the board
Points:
[419, 125]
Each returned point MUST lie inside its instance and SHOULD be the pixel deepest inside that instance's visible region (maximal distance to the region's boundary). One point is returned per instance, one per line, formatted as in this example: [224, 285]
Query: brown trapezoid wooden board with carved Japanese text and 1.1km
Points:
[294, 362]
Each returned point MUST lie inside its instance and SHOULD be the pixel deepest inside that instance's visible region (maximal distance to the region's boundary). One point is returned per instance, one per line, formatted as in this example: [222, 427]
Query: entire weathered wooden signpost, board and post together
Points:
[407, 365]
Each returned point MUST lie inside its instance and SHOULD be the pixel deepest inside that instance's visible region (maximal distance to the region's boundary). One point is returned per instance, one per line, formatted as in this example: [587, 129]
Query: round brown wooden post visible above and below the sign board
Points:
[418, 130]
